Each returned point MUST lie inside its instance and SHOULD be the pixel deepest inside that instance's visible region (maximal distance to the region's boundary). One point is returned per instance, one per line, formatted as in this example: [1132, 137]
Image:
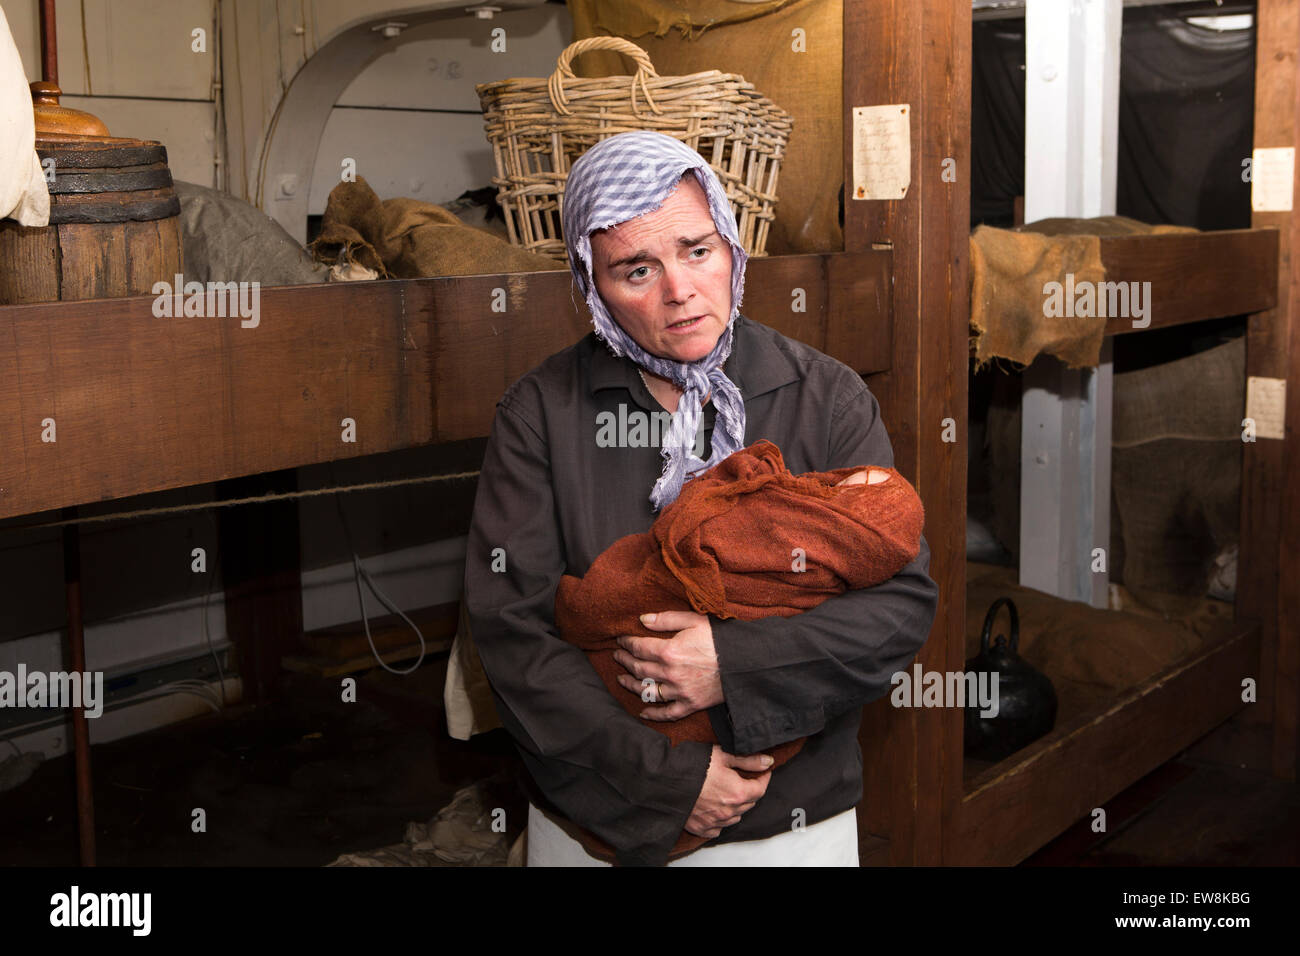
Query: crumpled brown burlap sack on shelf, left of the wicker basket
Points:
[406, 239]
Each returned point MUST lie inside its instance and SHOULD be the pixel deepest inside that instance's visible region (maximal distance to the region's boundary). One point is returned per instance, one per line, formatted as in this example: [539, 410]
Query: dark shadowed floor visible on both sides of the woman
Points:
[307, 780]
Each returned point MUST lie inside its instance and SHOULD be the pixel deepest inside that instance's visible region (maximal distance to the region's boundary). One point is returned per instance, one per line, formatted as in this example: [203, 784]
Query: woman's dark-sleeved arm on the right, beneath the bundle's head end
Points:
[785, 678]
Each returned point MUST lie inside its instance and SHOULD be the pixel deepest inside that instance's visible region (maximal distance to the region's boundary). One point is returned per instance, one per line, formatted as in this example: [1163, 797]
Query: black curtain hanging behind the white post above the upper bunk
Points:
[1186, 115]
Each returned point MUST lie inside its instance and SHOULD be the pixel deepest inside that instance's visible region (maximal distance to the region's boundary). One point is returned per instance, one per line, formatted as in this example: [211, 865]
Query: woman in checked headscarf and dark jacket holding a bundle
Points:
[655, 250]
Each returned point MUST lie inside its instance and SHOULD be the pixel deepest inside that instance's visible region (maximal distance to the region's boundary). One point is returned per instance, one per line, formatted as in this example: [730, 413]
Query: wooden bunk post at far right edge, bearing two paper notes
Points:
[1268, 568]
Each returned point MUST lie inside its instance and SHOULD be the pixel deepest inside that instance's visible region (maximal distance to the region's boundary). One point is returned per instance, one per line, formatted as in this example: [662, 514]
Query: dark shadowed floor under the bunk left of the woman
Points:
[296, 784]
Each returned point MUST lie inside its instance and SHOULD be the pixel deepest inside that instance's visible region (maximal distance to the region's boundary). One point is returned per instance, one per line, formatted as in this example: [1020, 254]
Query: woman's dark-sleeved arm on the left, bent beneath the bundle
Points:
[603, 768]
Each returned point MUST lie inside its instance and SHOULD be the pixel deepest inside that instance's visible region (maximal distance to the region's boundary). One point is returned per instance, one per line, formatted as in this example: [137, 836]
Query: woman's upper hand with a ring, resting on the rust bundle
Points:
[684, 671]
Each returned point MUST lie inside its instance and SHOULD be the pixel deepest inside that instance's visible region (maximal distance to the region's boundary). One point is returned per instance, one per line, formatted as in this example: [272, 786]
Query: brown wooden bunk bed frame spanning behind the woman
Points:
[146, 405]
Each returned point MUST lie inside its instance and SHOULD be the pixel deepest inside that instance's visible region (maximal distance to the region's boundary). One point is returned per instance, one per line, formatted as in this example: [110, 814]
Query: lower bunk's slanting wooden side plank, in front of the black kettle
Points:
[1019, 806]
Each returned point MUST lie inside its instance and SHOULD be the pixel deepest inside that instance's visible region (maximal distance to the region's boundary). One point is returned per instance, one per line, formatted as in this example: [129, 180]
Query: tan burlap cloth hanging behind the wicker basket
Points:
[756, 41]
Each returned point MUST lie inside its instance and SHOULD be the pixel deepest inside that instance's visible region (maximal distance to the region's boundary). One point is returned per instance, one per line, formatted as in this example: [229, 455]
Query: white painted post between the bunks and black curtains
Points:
[1072, 128]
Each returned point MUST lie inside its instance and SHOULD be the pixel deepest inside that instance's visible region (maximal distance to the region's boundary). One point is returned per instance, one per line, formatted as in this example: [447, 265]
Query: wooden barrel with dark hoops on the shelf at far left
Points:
[114, 224]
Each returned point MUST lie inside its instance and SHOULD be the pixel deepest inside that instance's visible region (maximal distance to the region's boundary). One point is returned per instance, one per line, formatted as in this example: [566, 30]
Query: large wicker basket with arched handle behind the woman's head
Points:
[539, 128]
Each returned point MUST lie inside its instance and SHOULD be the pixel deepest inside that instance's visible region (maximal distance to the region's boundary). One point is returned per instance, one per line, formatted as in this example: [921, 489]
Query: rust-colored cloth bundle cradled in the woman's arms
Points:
[727, 547]
